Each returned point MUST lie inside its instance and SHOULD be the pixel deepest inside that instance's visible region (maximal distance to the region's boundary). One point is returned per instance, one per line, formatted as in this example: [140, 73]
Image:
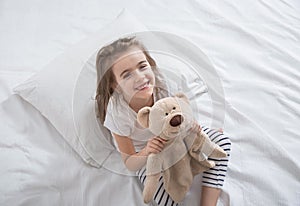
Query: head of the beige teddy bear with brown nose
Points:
[168, 117]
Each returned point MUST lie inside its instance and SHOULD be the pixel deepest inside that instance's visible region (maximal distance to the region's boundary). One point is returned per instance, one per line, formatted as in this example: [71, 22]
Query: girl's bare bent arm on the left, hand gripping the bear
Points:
[136, 160]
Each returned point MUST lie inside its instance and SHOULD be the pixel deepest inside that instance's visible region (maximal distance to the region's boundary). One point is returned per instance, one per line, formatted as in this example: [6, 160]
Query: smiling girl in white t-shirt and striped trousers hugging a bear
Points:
[128, 80]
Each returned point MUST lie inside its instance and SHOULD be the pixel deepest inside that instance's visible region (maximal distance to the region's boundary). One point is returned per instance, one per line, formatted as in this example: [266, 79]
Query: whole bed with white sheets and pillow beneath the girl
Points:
[252, 51]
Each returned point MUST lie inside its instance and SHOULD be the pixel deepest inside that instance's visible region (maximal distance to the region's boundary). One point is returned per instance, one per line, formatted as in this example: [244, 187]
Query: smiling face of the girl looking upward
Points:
[134, 76]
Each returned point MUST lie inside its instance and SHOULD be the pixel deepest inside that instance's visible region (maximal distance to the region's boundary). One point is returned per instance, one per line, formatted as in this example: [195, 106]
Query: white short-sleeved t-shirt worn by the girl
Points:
[122, 120]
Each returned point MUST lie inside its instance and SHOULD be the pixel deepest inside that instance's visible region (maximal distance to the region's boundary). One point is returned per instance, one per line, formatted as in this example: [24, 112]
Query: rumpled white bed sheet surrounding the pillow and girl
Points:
[254, 46]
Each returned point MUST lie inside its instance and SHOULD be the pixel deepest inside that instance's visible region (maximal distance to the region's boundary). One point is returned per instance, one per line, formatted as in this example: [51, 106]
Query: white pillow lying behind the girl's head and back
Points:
[64, 90]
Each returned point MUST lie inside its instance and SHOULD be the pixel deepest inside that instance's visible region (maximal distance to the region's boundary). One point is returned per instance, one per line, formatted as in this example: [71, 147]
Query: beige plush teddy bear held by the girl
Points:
[185, 153]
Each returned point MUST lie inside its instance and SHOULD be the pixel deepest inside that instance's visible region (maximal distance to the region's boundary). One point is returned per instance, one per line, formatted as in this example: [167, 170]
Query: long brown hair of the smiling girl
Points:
[105, 77]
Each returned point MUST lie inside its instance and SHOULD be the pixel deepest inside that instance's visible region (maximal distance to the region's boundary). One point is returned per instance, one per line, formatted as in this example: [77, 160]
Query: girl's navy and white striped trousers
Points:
[213, 177]
